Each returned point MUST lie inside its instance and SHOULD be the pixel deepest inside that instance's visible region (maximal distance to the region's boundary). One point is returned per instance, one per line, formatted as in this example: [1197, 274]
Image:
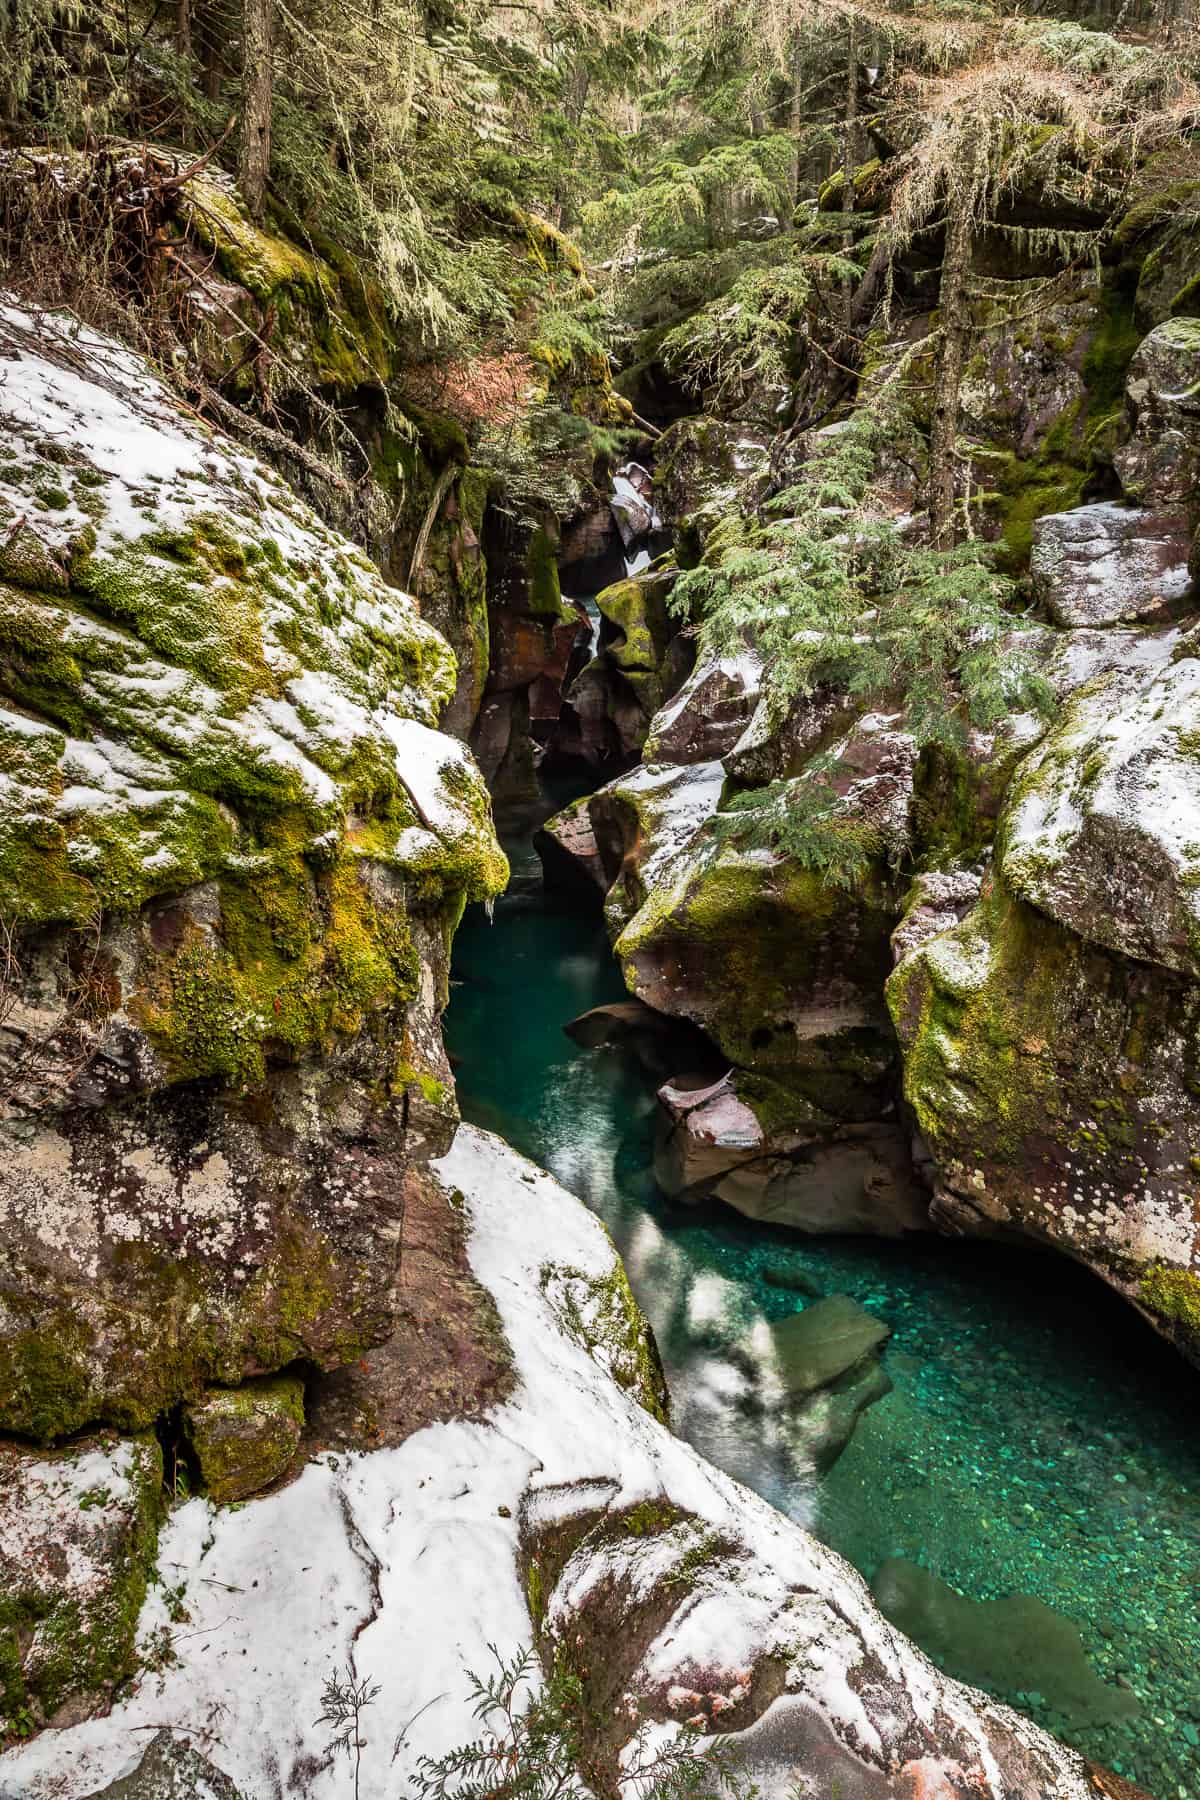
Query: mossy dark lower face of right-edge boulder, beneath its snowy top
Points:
[1053, 1084]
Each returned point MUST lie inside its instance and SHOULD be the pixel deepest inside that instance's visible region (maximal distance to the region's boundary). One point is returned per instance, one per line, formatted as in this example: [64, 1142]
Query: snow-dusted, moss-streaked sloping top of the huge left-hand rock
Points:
[172, 595]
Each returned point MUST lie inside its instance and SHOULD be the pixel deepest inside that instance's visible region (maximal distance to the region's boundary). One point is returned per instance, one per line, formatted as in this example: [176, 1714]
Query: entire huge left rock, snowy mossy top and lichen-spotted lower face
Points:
[231, 852]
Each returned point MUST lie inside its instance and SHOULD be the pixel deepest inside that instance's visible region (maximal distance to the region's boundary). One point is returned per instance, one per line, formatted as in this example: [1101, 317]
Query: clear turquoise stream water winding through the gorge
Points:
[1039, 1439]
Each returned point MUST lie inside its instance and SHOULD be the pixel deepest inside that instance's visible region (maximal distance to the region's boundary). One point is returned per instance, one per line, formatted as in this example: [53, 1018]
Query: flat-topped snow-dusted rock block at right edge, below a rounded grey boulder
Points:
[1107, 564]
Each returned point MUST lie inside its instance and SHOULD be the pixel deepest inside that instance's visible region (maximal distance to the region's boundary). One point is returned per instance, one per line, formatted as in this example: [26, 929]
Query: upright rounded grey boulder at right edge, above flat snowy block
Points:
[1161, 462]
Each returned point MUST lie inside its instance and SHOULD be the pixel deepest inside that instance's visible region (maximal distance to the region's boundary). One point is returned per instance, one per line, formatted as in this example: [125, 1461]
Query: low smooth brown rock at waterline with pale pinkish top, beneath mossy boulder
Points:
[766, 1153]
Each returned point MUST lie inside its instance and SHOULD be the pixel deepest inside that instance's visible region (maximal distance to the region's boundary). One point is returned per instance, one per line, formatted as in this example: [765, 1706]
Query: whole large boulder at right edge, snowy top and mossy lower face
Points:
[1052, 1032]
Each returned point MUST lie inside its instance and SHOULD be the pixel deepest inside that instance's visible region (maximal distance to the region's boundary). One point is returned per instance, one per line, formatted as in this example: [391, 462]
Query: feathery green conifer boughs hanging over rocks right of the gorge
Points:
[836, 593]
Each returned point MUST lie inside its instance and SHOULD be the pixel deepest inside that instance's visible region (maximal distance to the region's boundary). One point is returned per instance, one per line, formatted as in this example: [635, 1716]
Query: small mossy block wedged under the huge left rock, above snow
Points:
[246, 1437]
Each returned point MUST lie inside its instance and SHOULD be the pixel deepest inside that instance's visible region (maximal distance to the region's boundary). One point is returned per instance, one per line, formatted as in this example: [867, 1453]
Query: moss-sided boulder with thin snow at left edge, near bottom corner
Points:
[78, 1536]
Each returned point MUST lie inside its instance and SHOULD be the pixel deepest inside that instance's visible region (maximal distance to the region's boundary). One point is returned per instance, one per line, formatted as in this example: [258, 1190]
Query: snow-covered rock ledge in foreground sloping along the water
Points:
[677, 1592]
